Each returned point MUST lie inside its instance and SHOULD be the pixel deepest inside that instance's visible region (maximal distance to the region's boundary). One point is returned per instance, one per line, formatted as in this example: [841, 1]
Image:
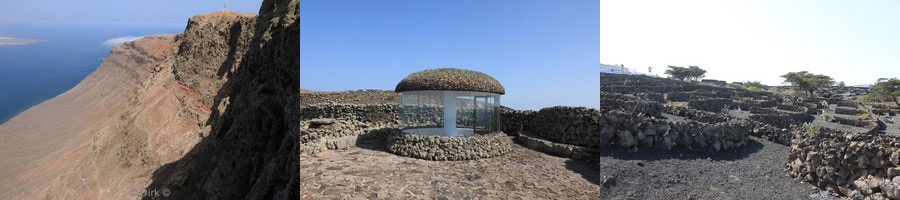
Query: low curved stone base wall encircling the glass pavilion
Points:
[449, 148]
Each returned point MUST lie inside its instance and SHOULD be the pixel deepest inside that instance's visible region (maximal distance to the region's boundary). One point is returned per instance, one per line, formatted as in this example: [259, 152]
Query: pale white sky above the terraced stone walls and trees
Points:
[852, 41]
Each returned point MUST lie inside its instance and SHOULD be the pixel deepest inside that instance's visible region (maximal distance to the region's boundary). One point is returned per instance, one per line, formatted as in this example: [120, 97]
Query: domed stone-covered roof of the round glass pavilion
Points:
[450, 79]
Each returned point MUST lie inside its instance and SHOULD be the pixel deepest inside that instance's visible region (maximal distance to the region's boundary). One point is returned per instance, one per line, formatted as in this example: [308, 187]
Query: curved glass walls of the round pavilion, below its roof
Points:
[449, 113]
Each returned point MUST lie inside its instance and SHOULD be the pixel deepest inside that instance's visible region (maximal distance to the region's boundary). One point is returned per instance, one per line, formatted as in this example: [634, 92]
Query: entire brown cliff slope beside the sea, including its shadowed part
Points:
[210, 113]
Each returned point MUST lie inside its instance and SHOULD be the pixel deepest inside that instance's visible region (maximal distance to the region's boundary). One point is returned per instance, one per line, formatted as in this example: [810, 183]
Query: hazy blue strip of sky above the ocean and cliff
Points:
[116, 11]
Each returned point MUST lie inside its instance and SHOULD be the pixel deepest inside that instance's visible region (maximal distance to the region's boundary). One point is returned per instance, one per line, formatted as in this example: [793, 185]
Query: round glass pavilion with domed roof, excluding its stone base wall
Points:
[449, 102]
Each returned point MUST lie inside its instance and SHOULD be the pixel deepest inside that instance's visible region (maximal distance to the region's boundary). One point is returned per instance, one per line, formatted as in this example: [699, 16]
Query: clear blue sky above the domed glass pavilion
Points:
[545, 53]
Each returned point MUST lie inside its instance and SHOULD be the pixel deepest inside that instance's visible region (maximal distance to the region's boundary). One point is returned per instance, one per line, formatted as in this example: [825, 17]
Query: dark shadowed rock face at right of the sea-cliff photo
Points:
[252, 151]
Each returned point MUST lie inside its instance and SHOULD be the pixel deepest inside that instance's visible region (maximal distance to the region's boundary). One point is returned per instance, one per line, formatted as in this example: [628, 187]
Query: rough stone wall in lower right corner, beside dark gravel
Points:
[856, 165]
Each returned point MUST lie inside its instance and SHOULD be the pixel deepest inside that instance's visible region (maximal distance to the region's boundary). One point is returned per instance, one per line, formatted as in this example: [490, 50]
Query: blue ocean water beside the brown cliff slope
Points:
[33, 73]
